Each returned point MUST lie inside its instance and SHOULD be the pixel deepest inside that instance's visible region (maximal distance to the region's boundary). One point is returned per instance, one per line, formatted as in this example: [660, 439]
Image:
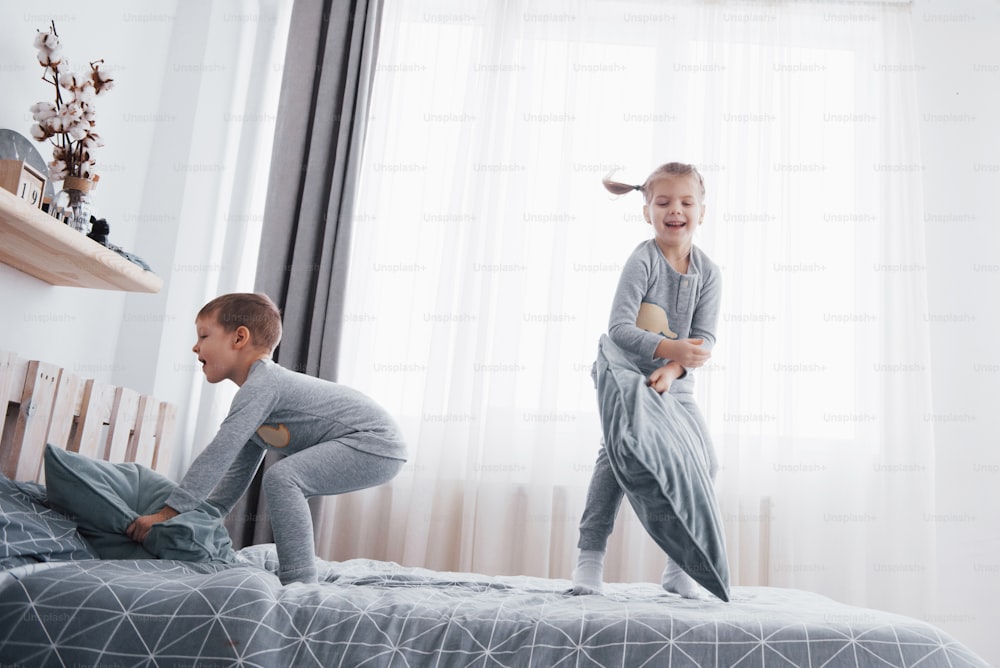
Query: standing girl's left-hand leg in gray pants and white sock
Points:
[604, 497]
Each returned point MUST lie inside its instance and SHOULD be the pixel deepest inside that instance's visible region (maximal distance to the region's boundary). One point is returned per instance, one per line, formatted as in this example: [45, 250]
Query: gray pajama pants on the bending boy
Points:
[324, 469]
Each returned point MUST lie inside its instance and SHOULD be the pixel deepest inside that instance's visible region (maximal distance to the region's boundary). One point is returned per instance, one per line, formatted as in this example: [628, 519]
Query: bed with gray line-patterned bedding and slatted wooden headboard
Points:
[60, 605]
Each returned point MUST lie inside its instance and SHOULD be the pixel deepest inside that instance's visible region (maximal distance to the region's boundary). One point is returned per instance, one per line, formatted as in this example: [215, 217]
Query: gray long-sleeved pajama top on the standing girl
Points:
[654, 301]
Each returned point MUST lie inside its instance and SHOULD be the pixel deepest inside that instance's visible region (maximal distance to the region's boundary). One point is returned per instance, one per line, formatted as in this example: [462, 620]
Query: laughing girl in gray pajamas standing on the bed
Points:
[664, 314]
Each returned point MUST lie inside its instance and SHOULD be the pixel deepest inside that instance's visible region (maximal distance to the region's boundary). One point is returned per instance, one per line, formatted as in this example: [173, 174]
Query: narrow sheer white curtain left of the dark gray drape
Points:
[233, 125]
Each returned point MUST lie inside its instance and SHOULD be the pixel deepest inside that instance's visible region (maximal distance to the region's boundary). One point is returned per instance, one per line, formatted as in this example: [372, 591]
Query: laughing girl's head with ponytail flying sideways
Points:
[675, 203]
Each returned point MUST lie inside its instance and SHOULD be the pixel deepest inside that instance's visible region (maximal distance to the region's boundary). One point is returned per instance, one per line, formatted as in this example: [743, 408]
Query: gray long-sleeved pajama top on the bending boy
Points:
[286, 411]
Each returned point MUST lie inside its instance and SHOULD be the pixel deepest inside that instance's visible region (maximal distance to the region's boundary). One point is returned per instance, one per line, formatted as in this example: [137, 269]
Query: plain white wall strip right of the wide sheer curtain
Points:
[957, 47]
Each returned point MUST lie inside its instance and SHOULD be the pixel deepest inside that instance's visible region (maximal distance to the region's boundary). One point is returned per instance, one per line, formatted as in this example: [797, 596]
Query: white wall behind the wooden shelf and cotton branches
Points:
[78, 328]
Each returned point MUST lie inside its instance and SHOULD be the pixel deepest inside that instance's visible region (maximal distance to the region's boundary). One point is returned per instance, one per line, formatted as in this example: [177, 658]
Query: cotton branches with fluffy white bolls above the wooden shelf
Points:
[68, 121]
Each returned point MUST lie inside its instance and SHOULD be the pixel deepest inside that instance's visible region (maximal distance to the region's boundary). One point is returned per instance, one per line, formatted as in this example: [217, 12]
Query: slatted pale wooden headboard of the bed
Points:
[44, 403]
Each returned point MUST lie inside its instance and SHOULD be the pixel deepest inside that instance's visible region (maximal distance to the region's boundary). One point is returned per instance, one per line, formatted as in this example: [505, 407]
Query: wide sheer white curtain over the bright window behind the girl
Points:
[486, 253]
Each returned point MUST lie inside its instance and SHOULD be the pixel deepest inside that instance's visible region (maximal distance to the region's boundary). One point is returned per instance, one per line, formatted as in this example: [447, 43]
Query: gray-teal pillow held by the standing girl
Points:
[657, 454]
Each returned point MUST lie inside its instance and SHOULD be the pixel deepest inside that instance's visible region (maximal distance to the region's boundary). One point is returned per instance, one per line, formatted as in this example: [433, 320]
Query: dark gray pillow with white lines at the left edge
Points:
[30, 532]
